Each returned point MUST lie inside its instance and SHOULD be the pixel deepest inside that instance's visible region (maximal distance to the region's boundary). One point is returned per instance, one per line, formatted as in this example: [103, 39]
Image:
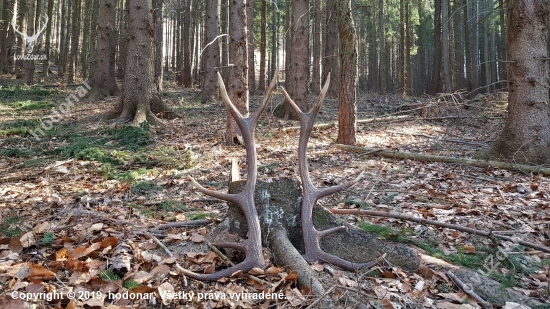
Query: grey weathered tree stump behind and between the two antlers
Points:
[278, 204]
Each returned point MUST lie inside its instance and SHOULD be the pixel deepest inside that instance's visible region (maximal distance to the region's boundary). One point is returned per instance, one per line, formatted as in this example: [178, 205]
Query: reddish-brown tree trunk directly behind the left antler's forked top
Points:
[237, 82]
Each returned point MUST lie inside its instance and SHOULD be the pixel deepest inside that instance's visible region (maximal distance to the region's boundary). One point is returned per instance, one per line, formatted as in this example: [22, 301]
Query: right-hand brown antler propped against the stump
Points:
[311, 194]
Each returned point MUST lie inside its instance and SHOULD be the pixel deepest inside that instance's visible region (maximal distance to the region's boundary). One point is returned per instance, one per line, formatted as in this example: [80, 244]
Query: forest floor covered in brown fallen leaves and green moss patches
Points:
[76, 205]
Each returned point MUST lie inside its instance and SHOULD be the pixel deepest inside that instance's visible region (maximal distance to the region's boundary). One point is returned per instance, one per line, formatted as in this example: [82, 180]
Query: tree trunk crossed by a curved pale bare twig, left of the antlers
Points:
[211, 53]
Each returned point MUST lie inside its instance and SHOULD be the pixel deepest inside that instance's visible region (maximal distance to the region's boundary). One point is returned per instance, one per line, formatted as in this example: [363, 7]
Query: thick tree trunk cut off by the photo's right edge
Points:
[526, 135]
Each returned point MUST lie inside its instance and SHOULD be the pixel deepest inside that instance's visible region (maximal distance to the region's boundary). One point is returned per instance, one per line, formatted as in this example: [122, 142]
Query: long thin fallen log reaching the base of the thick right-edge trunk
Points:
[432, 158]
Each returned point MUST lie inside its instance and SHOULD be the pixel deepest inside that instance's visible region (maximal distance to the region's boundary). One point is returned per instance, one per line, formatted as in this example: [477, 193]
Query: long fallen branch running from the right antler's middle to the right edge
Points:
[437, 223]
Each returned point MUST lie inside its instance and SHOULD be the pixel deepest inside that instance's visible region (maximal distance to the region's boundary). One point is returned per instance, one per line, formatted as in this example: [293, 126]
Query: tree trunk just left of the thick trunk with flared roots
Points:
[103, 80]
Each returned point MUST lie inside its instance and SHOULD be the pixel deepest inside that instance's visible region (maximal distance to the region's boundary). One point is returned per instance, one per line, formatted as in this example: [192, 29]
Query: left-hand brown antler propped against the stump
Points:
[245, 199]
